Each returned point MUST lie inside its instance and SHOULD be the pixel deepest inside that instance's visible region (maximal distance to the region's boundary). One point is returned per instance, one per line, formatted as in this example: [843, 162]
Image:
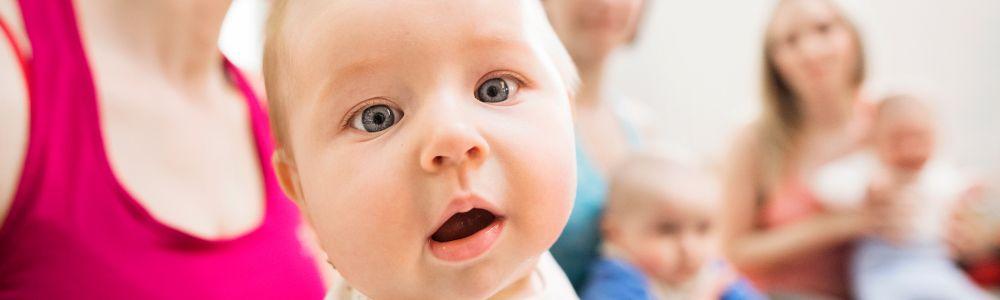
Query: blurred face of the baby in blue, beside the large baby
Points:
[670, 242]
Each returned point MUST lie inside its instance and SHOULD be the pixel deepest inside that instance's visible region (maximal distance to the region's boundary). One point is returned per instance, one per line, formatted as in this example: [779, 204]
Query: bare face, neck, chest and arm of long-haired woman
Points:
[815, 54]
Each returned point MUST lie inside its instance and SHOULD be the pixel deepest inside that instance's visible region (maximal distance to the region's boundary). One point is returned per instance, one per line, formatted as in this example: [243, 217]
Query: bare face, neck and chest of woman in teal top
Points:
[592, 31]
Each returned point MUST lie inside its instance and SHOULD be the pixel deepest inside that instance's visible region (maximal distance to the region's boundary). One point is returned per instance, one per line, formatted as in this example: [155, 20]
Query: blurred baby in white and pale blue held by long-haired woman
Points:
[908, 261]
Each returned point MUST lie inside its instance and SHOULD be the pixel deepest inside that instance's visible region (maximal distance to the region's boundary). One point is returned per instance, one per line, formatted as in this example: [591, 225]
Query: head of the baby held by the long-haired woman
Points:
[904, 134]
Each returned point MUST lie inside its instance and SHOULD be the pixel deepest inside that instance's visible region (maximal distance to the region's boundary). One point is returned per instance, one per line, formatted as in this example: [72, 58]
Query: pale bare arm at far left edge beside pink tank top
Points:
[13, 116]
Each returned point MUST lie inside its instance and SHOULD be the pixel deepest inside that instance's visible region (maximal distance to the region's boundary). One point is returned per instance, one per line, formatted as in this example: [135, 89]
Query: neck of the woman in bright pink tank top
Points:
[179, 38]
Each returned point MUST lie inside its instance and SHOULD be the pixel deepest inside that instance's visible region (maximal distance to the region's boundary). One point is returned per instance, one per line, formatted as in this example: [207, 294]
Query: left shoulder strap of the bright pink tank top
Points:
[63, 129]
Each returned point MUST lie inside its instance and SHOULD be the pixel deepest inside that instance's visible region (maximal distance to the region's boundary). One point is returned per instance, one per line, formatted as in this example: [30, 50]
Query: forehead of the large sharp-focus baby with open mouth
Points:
[374, 32]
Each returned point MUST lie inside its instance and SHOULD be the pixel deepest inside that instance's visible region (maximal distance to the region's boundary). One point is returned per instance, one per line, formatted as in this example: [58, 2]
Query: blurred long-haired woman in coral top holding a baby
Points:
[776, 231]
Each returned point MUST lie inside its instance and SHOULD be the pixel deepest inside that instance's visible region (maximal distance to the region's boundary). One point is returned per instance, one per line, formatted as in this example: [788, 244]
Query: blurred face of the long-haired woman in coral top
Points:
[814, 49]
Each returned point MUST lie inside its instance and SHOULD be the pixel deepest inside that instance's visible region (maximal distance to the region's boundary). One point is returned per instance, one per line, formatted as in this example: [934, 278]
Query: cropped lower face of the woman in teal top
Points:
[592, 29]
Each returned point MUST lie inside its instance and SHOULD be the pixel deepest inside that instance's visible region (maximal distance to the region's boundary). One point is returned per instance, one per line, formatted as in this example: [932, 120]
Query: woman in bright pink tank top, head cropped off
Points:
[144, 171]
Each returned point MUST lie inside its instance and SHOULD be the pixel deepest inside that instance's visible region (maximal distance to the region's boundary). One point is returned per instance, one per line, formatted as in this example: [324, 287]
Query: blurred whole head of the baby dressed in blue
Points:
[659, 215]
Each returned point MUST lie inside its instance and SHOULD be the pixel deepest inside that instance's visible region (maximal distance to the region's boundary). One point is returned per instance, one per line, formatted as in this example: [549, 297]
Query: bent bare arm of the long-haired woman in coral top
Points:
[754, 249]
